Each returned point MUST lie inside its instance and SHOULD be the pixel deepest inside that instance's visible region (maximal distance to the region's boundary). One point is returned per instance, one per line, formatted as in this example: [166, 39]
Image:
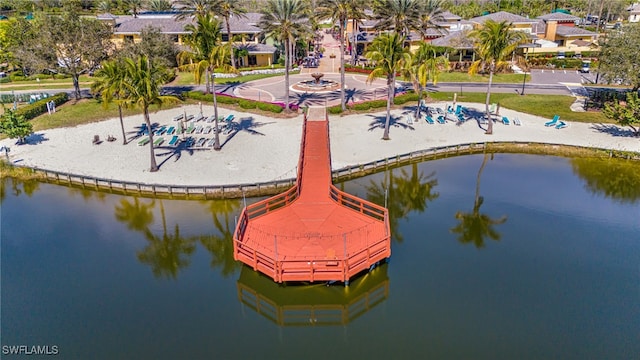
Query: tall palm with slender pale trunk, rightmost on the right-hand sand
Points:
[495, 44]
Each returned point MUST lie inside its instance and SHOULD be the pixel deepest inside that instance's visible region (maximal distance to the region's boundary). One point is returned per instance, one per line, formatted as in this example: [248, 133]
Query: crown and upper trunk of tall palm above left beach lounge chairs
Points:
[203, 37]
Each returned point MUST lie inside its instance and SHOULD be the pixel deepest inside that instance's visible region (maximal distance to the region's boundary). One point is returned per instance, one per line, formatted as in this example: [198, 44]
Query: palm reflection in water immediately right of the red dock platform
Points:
[404, 193]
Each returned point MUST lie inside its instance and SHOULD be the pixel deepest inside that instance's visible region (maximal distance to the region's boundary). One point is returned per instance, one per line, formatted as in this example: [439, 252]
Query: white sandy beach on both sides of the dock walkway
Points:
[264, 149]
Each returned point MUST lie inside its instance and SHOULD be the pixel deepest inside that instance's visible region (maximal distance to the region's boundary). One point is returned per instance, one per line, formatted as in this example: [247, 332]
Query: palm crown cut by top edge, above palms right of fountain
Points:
[400, 15]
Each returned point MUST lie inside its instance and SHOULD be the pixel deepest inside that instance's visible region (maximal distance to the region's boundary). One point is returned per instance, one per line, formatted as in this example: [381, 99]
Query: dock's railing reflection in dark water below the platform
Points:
[313, 305]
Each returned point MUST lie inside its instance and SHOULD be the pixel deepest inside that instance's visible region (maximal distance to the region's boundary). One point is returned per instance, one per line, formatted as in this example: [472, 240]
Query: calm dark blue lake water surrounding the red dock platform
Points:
[510, 257]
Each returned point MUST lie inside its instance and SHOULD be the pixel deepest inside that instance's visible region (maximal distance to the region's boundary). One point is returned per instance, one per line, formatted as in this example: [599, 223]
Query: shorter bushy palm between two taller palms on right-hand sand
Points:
[425, 66]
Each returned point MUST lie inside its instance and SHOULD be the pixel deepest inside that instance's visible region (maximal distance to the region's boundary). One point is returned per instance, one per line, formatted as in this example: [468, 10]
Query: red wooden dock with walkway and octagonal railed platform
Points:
[313, 231]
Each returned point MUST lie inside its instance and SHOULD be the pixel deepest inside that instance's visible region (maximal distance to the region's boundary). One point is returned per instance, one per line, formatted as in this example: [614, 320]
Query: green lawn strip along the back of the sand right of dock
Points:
[542, 105]
